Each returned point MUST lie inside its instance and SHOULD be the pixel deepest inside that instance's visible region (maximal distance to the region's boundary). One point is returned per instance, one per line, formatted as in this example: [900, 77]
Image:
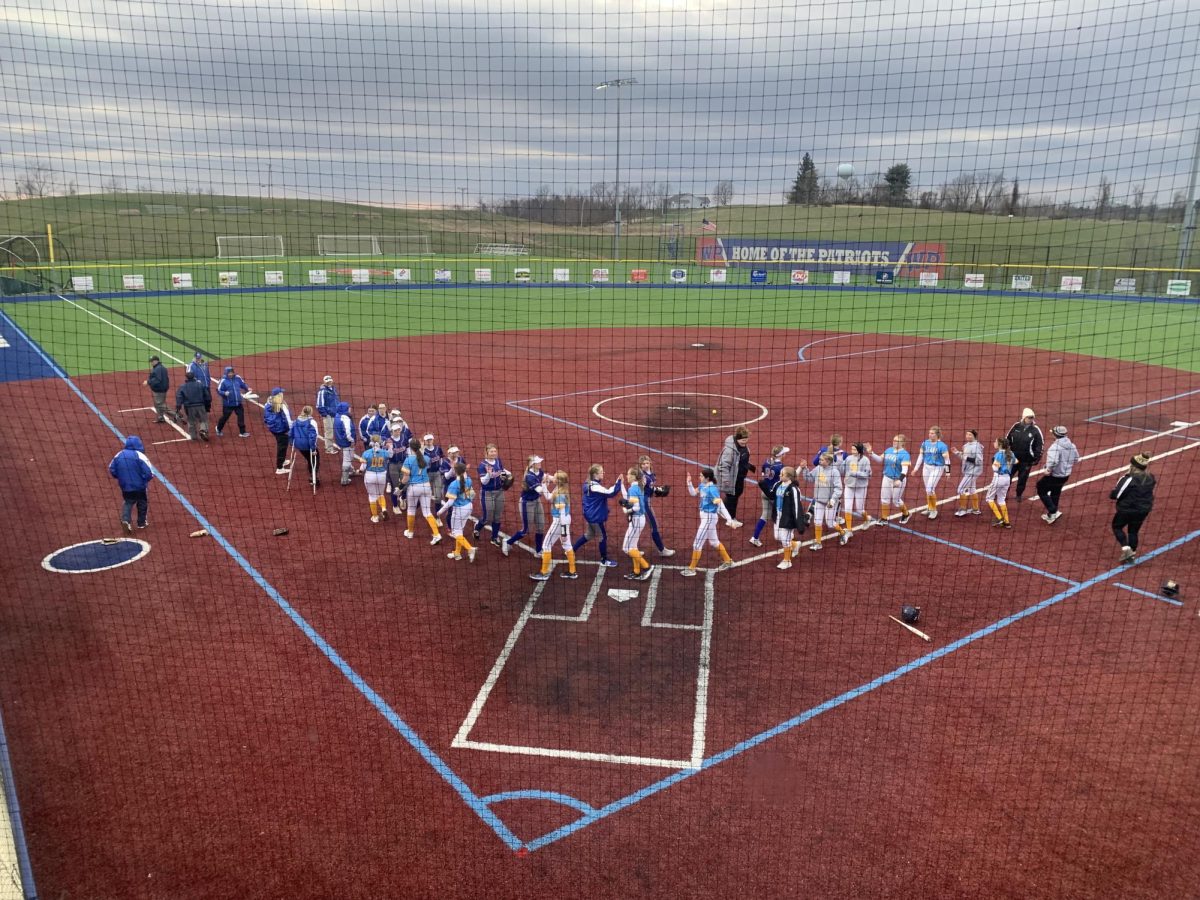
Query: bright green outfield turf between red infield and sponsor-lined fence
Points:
[87, 338]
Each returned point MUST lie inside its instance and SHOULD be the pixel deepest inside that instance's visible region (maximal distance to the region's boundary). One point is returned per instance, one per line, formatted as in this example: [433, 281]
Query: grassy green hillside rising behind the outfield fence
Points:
[153, 226]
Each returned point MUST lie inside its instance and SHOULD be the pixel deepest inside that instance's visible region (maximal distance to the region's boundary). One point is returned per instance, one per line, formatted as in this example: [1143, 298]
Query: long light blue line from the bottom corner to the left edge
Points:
[470, 797]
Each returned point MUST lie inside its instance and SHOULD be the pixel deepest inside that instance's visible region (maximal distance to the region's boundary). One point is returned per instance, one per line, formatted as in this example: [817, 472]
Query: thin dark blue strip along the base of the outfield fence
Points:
[619, 286]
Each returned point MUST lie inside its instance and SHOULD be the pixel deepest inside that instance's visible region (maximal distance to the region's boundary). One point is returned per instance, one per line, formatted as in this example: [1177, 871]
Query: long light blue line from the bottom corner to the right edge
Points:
[842, 699]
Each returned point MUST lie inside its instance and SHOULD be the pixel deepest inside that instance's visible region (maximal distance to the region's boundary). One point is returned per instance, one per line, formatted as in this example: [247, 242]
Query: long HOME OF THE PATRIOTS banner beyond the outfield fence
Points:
[902, 257]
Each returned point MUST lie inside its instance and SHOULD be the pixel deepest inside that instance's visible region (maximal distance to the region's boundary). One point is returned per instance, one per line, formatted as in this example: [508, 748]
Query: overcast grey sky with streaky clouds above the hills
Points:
[337, 99]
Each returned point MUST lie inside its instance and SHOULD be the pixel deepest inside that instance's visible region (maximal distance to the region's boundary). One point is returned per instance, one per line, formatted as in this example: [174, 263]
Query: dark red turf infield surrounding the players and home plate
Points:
[175, 735]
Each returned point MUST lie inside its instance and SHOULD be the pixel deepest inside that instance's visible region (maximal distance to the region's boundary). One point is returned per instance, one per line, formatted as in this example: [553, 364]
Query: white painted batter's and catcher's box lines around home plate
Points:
[700, 715]
